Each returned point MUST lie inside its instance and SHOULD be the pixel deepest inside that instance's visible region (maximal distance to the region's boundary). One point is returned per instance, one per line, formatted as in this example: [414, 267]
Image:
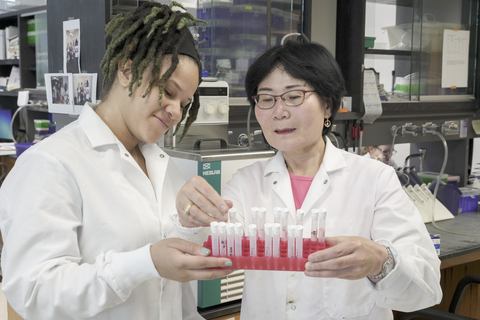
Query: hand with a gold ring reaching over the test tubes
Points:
[198, 204]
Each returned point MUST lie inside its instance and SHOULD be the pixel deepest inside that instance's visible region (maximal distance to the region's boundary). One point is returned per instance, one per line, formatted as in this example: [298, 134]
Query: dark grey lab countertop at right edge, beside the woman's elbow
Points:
[455, 245]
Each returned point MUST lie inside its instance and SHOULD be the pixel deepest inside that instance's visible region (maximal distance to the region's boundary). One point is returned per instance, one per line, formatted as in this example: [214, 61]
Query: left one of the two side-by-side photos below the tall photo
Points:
[59, 92]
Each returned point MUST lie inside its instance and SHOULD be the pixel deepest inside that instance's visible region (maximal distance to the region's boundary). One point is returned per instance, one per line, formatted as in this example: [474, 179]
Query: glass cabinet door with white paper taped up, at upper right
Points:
[423, 50]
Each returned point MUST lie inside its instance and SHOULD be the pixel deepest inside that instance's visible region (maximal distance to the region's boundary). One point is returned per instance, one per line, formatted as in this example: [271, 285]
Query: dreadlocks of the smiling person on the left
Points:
[146, 35]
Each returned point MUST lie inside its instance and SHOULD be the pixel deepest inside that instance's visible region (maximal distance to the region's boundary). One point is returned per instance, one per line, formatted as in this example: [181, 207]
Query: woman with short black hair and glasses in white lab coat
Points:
[379, 256]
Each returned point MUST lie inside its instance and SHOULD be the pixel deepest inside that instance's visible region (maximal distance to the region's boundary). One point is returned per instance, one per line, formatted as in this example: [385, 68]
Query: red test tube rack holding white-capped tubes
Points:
[260, 262]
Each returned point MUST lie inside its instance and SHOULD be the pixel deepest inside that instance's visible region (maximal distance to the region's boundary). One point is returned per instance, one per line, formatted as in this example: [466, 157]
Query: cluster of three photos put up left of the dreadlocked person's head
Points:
[69, 91]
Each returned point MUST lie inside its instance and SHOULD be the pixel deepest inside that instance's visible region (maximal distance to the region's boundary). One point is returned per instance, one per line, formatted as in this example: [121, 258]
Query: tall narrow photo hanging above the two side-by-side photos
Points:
[71, 46]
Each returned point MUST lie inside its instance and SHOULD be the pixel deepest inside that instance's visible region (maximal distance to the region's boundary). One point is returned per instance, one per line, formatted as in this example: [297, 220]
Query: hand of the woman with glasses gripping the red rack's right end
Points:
[348, 258]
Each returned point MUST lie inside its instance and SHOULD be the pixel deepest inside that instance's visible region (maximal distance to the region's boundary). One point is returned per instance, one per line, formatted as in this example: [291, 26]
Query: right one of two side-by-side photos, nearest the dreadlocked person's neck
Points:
[84, 90]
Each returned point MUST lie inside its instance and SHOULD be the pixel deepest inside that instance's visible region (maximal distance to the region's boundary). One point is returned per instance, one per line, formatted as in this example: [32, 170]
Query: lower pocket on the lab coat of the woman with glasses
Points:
[345, 299]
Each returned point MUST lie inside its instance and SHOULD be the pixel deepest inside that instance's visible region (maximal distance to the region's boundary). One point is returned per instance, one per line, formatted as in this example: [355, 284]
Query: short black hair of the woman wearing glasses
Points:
[311, 62]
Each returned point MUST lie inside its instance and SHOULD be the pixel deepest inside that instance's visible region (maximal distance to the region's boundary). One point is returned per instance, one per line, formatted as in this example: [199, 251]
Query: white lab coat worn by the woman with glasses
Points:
[363, 198]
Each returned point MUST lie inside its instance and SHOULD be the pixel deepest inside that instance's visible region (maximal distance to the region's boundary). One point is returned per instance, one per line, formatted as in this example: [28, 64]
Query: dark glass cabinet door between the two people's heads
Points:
[240, 30]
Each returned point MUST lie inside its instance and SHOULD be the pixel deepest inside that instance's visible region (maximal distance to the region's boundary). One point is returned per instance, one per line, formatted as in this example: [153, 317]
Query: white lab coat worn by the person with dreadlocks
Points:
[78, 216]
